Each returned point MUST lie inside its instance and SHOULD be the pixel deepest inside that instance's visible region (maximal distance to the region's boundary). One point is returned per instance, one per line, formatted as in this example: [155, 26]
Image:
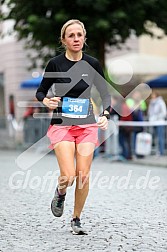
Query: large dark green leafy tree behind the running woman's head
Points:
[106, 21]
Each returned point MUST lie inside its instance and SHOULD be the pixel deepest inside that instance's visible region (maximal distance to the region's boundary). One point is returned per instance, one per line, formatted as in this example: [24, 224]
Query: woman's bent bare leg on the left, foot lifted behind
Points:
[65, 152]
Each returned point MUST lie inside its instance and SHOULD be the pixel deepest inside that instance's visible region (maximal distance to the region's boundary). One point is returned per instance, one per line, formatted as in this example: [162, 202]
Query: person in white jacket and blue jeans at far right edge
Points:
[157, 112]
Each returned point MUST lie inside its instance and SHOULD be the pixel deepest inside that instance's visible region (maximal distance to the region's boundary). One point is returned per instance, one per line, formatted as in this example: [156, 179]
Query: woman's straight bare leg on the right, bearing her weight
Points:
[84, 156]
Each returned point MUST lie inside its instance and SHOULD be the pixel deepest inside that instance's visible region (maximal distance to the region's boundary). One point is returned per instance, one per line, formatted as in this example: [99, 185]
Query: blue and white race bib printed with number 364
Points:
[75, 107]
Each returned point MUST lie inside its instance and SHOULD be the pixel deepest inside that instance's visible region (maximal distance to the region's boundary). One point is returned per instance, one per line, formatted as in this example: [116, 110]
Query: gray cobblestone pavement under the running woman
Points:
[119, 214]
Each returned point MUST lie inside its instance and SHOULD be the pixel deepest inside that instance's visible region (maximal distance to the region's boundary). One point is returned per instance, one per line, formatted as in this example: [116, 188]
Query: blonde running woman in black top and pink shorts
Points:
[73, 131]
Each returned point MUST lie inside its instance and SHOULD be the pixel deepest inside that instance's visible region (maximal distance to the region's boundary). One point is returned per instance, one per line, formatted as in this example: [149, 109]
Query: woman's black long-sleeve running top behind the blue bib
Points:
[74, 79]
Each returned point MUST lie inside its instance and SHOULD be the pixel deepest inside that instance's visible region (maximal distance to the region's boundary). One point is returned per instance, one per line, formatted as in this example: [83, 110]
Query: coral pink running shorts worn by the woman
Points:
[78, 134]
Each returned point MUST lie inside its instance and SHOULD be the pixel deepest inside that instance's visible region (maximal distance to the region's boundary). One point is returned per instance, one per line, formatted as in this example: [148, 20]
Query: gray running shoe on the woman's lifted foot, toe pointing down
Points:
[57, 205]
